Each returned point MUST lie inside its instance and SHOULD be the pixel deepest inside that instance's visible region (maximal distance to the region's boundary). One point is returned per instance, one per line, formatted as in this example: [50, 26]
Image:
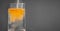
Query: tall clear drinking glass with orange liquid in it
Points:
[16, 15]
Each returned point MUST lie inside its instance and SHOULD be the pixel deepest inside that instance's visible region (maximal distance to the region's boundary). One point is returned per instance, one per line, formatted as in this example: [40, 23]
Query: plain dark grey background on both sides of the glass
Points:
[41, 15]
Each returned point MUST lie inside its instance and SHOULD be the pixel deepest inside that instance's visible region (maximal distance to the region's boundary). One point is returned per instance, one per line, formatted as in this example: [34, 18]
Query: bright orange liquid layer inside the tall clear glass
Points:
[16, 14]
